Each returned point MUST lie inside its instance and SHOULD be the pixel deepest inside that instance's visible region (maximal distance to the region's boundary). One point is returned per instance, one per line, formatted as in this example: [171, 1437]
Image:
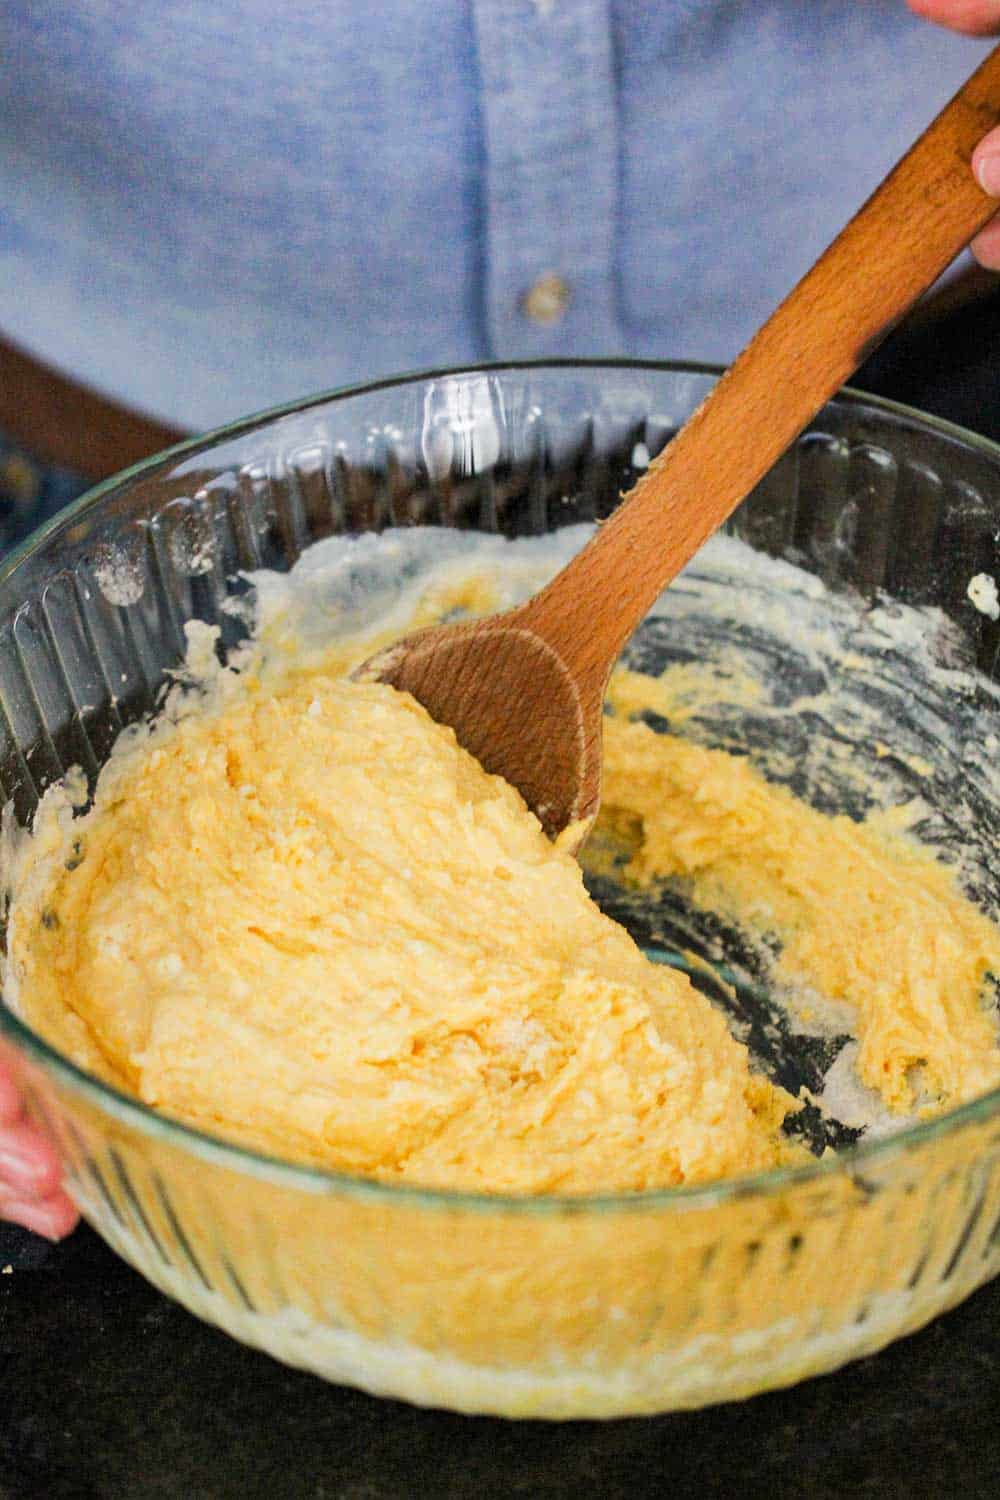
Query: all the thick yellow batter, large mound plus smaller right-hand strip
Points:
[307, 920]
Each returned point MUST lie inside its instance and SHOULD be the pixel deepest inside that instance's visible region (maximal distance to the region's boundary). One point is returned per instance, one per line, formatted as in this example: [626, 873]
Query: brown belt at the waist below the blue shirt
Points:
[62, 422]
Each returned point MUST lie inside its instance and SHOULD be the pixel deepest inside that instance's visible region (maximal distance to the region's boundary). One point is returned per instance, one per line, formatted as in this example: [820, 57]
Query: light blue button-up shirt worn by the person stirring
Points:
[211, 208]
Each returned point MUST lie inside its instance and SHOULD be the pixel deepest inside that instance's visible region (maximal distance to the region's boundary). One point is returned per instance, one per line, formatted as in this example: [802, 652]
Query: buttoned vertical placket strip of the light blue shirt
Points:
[551, 197]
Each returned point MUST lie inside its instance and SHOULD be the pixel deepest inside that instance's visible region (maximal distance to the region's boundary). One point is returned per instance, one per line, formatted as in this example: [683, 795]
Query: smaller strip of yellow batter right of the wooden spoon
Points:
[863, 914]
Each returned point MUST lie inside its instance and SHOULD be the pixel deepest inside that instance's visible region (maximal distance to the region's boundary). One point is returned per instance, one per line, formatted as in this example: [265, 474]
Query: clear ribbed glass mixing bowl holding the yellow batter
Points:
[576, 1307]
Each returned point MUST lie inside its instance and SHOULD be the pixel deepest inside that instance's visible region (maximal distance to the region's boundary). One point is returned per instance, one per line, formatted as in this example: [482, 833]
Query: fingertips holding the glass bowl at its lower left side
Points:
[31, 1172]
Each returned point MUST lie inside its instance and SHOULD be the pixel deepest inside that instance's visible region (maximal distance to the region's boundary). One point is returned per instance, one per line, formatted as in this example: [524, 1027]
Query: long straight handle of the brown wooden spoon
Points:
[905, 236]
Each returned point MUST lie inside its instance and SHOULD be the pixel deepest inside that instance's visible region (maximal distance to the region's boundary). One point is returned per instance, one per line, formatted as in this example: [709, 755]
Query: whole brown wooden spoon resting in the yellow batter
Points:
[524, 691]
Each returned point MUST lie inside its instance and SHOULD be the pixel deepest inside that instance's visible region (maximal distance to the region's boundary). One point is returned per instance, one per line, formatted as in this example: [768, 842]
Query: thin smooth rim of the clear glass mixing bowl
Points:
[322, 1181]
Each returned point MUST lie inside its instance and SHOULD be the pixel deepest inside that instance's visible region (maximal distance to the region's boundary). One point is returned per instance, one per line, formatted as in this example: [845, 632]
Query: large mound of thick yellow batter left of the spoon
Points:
[313, 923]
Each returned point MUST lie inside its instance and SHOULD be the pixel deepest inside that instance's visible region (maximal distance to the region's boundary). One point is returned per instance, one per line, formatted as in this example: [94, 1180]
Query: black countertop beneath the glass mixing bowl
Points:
[113, 1393]
